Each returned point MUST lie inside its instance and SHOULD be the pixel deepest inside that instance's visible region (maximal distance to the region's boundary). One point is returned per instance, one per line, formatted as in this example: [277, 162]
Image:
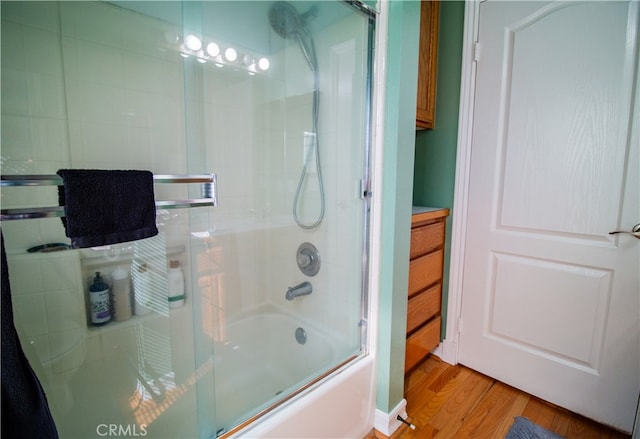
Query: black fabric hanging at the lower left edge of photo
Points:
[25, 412]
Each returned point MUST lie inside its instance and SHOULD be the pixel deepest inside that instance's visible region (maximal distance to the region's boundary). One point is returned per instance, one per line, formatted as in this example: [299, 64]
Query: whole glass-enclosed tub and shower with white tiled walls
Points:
[251, 299]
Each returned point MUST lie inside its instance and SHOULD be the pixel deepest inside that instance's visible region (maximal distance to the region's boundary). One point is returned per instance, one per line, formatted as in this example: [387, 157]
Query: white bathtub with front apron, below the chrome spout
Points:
[262, 362]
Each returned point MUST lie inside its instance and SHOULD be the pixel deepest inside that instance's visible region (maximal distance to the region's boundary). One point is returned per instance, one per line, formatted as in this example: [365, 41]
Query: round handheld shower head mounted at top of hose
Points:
[287, 22]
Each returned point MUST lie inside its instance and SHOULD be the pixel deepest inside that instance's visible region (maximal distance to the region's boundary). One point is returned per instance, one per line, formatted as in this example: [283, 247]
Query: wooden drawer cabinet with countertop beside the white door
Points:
[425, 283]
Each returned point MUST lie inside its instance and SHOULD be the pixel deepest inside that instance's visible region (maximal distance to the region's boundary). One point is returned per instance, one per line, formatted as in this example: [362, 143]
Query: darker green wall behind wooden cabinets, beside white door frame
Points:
[435, 154]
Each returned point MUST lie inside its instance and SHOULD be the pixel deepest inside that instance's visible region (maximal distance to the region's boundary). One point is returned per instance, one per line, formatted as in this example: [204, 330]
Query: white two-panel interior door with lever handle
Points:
[549, 298]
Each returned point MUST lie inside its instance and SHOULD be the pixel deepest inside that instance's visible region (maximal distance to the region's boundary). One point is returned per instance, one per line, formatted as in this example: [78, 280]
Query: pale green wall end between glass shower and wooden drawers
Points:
[399, 142]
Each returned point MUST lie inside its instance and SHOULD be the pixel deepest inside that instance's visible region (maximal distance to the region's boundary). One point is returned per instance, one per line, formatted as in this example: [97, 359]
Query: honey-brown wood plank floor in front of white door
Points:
[445, 401]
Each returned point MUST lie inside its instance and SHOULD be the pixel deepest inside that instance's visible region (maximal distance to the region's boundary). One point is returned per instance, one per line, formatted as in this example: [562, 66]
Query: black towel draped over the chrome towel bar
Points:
[107, 207]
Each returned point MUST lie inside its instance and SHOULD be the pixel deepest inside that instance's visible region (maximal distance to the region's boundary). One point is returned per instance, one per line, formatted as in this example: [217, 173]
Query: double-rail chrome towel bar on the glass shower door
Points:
[209, 194]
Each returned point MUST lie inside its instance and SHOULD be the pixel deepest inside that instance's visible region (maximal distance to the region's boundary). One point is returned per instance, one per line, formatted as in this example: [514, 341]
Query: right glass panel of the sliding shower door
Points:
[280, 96]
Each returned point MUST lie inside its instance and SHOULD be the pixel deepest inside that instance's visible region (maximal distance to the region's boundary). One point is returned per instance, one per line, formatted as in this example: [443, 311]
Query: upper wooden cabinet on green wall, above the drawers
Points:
[427, 64]
